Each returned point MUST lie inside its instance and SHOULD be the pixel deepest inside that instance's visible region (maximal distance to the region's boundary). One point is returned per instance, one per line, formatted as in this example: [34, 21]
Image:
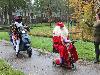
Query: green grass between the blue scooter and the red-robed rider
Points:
[42, 43]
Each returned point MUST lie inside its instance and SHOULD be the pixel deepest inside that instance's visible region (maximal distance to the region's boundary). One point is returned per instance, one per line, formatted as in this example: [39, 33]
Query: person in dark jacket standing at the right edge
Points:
[97, 37]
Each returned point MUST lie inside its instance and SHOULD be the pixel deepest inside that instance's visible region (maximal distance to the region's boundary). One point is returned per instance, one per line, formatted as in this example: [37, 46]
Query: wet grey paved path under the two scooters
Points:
[41, 64]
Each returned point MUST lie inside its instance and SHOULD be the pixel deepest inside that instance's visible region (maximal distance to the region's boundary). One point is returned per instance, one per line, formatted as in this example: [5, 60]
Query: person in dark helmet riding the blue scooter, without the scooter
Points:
[17, 27]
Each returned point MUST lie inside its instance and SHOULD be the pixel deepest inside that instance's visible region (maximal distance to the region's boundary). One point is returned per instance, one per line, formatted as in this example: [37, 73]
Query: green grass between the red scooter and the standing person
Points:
[85, 50]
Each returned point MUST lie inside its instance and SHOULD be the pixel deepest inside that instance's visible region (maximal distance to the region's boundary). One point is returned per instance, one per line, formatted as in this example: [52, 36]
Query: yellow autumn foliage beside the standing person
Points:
[84, 13]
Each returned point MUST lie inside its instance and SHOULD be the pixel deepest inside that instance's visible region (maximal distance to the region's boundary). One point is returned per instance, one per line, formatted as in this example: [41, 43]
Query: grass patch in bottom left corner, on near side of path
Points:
[6, 69]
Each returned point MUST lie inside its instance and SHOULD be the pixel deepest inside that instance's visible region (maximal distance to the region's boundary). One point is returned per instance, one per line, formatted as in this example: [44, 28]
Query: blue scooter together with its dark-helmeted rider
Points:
[20, 37]
